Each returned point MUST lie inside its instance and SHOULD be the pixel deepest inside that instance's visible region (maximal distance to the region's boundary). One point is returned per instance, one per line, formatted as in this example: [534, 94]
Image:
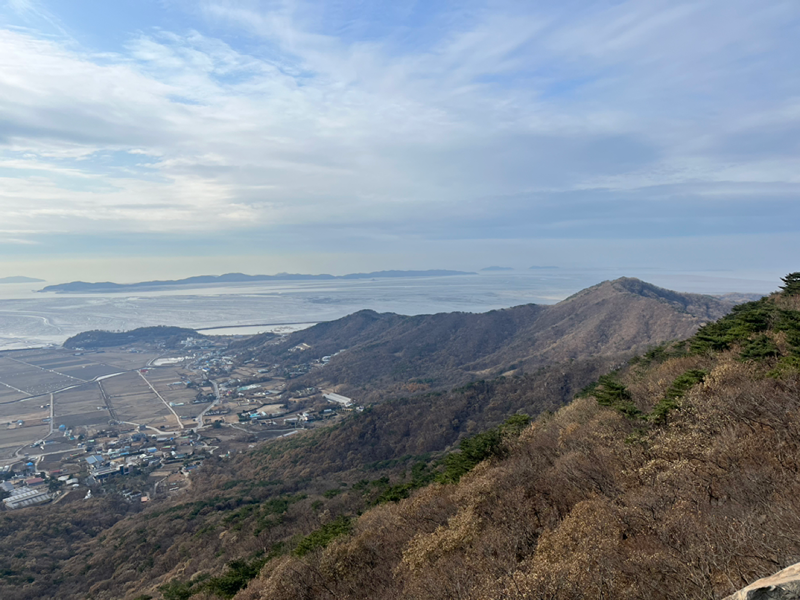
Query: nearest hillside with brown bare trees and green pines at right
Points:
[675, 477]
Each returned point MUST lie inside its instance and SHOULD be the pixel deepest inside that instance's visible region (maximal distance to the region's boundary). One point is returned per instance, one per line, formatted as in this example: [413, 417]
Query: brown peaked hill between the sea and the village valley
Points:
[389, 350]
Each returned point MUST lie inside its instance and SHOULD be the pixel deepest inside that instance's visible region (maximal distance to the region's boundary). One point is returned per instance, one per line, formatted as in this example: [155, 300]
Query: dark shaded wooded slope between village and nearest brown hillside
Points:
[266, 498]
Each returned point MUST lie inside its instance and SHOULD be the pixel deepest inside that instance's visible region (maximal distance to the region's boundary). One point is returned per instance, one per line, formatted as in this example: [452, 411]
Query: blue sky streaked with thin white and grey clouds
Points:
[166, 138]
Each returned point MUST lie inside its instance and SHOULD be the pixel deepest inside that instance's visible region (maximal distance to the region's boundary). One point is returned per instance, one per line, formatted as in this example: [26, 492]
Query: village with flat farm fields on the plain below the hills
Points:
[141, 420]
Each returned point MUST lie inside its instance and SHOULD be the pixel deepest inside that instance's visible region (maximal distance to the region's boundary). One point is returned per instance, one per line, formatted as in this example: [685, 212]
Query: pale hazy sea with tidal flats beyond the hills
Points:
[30, 319]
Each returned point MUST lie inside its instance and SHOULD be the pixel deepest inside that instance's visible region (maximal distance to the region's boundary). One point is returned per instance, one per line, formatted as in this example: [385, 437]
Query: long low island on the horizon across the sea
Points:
[83, 287]
